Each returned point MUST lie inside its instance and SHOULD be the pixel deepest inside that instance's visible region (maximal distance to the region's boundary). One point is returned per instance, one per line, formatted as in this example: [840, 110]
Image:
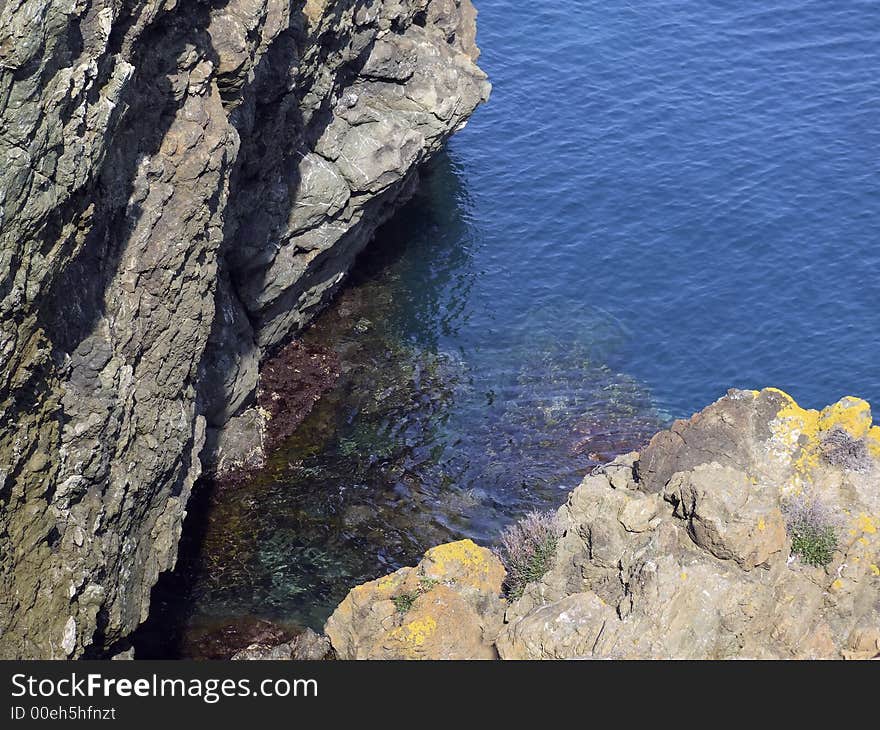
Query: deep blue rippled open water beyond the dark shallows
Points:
[697, 181]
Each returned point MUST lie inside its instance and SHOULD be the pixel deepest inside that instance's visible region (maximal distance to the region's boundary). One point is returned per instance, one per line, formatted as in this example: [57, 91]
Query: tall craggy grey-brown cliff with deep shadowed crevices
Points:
[184, 184]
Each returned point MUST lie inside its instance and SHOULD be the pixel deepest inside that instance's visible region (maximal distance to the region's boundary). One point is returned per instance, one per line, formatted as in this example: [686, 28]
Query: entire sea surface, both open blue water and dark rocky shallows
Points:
[660, 201]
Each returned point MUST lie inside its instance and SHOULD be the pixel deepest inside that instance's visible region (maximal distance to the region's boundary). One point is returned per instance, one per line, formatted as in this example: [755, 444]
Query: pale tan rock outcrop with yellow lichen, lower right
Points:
[682, 551]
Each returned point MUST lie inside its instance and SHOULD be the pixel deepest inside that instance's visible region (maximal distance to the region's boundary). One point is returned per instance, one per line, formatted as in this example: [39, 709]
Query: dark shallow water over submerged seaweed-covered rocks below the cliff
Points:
[423, 438]
